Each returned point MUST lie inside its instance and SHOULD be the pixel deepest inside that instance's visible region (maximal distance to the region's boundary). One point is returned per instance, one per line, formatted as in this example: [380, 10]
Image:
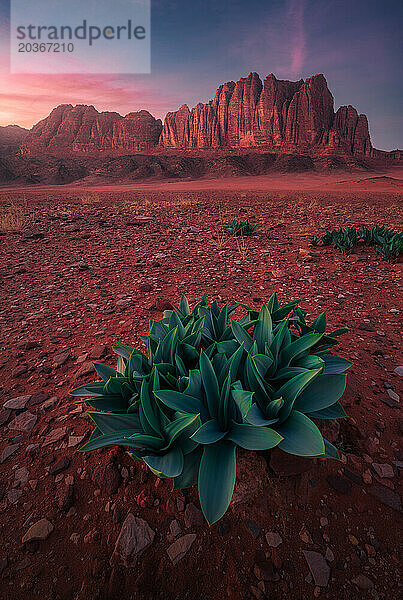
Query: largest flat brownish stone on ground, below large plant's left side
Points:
[134, 537]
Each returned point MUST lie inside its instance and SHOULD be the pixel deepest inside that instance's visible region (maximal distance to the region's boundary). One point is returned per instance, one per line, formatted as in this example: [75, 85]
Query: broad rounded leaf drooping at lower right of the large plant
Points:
[301, 436]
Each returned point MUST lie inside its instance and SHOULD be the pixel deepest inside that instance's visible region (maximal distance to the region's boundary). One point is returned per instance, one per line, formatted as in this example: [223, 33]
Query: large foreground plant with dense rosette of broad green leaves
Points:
[209, 384]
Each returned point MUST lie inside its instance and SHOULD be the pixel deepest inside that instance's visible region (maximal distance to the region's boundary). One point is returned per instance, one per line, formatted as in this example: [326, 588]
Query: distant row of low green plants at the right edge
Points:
[387, 242]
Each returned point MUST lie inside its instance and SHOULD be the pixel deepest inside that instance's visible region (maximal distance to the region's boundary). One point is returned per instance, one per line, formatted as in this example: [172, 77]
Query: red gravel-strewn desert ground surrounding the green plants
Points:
[85, 269]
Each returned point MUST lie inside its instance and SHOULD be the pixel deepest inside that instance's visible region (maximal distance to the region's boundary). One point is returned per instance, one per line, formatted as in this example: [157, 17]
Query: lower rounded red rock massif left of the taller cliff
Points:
[82, 129]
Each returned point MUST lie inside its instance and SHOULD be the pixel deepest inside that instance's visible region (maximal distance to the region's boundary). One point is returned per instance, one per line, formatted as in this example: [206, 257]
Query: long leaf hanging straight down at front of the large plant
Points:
[217, 479]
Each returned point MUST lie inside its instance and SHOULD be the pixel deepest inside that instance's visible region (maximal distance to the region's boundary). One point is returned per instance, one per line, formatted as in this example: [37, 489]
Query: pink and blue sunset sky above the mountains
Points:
[355, 47]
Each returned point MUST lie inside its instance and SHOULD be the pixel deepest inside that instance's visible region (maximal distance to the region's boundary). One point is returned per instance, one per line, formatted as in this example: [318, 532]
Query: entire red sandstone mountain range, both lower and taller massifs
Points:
[273, 115]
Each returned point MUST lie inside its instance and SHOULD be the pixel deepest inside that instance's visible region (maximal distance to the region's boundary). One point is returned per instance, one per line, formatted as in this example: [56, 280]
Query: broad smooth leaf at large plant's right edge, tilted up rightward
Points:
[321, 393]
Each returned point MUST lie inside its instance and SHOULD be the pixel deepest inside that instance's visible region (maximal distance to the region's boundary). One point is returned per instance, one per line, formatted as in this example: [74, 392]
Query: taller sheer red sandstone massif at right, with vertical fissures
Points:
[273, 114]
